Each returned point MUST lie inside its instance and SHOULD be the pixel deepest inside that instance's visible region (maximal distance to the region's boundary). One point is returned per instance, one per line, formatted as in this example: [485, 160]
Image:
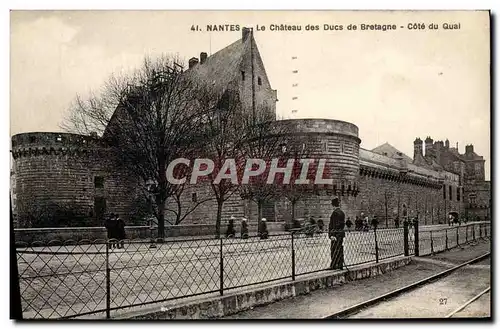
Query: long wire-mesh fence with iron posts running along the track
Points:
[99, 278]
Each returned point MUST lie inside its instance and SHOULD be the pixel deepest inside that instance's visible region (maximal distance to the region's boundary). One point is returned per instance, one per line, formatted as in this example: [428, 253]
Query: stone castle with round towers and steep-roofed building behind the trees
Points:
[64, 169]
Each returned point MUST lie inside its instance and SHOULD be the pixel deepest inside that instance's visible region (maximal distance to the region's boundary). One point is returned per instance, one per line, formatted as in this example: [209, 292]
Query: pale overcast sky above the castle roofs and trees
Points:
[394, 85]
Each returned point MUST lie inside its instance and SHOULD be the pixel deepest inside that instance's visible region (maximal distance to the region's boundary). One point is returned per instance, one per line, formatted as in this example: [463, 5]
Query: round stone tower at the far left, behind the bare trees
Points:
[55, 173]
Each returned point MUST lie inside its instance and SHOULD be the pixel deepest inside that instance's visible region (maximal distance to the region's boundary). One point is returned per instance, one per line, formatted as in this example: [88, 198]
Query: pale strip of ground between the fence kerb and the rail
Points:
[319, 303]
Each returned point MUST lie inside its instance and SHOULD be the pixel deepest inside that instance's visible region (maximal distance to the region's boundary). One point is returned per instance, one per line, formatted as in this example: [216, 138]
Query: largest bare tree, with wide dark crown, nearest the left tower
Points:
[147, 119]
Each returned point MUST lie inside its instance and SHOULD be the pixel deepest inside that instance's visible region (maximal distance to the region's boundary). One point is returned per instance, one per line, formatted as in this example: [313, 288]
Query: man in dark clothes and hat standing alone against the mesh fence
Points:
[336, 234]
